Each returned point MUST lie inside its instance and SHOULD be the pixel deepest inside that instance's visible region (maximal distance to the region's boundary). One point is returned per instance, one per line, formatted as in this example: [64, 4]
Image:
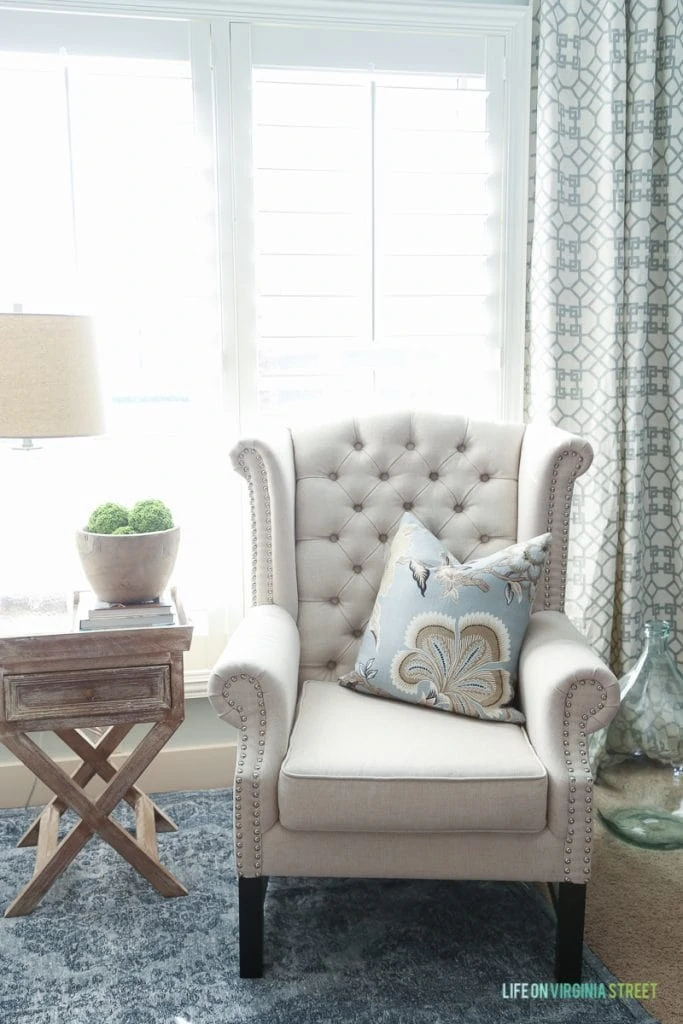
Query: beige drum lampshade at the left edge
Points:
[50, 386]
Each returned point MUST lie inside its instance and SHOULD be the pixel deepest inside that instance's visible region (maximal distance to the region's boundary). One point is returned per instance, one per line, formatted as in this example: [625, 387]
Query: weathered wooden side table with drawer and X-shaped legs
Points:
[69, 681]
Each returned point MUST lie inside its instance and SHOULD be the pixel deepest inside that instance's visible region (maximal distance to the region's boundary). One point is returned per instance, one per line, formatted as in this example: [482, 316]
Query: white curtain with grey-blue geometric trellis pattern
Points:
[605, 353]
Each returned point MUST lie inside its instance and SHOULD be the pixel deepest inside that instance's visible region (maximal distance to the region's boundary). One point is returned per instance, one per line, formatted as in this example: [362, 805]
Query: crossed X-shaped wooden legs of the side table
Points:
[54, 857]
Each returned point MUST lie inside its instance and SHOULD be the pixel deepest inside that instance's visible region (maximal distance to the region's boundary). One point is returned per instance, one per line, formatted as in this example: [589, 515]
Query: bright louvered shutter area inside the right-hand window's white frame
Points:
[375, 233]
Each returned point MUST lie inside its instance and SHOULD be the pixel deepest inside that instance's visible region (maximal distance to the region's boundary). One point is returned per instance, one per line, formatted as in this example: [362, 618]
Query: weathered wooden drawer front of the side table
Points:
[97, 694]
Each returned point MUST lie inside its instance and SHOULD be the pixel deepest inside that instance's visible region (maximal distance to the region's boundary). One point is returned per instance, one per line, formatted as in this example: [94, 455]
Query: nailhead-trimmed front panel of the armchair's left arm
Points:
[248, 776]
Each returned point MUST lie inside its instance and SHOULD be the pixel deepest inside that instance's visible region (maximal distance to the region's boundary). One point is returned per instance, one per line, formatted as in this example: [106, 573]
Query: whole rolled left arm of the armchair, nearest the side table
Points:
[254, 687]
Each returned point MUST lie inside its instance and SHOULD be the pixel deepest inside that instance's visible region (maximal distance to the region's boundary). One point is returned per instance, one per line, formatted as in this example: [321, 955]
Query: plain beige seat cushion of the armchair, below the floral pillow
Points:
[377, 765]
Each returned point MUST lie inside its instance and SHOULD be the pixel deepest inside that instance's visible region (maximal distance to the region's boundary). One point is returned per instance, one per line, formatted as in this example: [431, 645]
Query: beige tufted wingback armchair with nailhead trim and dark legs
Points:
[331, 783]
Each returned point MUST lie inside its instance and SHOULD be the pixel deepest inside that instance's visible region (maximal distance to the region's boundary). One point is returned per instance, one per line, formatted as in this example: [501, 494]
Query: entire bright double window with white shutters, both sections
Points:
[267, 219]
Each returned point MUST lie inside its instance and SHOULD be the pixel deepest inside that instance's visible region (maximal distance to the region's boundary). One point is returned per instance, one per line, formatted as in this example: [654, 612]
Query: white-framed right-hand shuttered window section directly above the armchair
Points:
[380, 211]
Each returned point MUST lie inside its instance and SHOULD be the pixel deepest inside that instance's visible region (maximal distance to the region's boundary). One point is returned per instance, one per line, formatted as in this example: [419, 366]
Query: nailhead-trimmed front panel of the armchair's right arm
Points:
[580, 809]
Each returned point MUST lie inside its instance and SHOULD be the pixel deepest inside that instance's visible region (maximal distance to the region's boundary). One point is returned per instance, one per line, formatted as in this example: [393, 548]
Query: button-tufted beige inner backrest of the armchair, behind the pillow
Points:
[355, 482]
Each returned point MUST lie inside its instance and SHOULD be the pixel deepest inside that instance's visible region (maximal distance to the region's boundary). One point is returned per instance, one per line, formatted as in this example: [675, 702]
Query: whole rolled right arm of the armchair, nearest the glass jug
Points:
[567, 693]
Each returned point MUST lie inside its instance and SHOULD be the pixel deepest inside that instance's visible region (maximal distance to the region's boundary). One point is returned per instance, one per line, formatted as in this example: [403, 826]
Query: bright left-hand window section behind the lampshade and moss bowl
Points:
[106, 209]
